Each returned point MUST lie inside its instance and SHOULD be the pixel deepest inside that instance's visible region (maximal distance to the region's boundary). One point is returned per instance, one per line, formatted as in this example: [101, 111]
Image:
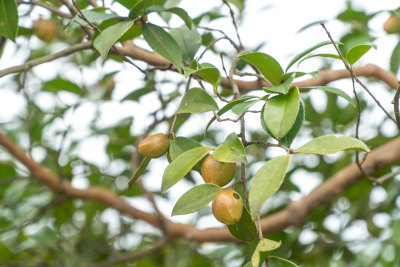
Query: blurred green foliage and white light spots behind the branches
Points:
[41, 228]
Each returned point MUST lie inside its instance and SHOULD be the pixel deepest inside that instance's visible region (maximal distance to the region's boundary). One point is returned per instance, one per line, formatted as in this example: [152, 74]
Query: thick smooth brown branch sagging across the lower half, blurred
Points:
[294, 214]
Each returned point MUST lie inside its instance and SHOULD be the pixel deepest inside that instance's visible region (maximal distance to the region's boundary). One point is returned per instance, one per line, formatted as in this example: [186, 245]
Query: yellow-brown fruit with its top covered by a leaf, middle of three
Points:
[216, 172]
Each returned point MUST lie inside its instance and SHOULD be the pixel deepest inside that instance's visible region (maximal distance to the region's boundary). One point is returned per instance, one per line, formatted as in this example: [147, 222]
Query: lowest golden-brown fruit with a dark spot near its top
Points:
[227, 206]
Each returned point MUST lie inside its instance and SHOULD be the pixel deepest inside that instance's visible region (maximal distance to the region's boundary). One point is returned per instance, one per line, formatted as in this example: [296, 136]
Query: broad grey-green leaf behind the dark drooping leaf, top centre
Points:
[188, 40]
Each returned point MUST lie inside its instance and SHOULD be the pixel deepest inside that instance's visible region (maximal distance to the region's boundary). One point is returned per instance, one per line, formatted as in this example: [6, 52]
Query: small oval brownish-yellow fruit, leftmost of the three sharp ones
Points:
[154, 146]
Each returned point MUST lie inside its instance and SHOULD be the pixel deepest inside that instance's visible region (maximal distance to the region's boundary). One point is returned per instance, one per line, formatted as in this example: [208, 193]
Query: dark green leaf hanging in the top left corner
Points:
[9, 19]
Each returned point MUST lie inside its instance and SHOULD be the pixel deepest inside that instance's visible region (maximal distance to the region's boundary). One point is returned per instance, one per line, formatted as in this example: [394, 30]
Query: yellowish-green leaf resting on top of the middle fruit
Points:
[231, 150]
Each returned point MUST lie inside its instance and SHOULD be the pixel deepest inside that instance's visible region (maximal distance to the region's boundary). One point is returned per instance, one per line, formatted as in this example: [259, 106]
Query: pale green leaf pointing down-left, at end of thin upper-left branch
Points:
[109, 36]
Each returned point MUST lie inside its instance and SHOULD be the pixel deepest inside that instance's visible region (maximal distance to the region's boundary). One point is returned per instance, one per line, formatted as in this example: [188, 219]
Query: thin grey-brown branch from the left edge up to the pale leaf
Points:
[32, 63]
